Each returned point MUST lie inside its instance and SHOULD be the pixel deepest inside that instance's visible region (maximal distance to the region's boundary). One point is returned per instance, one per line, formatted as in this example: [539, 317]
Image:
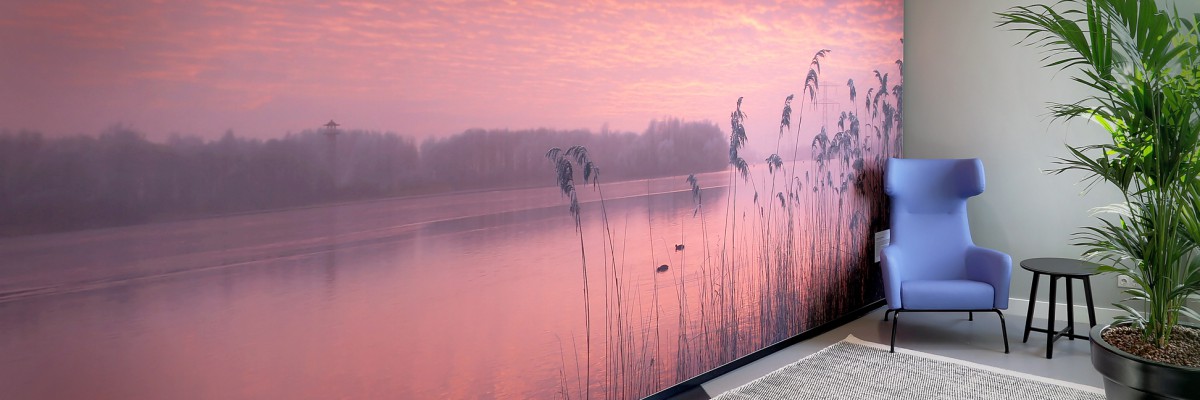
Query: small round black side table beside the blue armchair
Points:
[1067, 270]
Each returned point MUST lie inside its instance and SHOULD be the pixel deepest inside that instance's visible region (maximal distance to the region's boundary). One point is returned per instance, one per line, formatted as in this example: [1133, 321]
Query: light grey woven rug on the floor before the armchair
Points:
[856, 369]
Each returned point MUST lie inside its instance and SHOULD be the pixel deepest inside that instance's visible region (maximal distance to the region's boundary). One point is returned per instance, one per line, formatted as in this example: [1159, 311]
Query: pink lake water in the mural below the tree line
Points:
[460, 296]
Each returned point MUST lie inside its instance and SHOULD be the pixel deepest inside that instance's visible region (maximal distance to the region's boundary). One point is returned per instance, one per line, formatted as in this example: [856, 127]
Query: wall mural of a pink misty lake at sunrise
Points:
[248, 200]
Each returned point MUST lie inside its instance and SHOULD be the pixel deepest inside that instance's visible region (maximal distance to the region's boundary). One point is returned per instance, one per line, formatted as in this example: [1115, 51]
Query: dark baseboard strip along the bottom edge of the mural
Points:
[694, 385]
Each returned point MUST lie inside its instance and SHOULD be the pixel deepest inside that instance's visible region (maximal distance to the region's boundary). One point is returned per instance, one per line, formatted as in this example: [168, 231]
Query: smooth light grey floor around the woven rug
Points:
[947, 335]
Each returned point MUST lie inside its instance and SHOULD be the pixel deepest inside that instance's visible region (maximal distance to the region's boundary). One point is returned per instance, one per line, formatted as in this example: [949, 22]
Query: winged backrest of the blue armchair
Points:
[929, 213]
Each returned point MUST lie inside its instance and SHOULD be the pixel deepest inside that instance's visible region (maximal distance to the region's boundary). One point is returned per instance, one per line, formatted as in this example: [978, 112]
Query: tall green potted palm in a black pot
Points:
[1142, 67]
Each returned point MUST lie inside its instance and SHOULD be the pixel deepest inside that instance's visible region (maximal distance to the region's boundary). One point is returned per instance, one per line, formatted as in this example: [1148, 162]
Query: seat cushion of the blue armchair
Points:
[947, 295]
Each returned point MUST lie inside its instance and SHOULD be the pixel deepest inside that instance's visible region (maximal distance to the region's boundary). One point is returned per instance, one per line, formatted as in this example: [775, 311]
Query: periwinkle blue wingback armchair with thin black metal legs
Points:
[932, 264]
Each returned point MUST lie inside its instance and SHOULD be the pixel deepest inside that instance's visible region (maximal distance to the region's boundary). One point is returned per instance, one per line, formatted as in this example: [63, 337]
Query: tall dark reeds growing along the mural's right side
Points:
[797, 256]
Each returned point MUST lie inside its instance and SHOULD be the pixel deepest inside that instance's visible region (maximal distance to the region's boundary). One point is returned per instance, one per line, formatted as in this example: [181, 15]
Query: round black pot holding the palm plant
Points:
[1129, 377]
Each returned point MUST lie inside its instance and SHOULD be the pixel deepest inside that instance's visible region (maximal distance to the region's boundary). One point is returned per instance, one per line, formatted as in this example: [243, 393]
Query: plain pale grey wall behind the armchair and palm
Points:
[971, 93]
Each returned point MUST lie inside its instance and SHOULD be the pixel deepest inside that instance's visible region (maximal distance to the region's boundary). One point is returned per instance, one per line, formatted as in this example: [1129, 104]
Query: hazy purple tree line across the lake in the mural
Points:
[119, 177]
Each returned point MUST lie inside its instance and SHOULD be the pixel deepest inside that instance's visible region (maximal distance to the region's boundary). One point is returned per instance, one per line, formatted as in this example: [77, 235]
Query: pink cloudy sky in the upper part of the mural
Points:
[425, 68]
